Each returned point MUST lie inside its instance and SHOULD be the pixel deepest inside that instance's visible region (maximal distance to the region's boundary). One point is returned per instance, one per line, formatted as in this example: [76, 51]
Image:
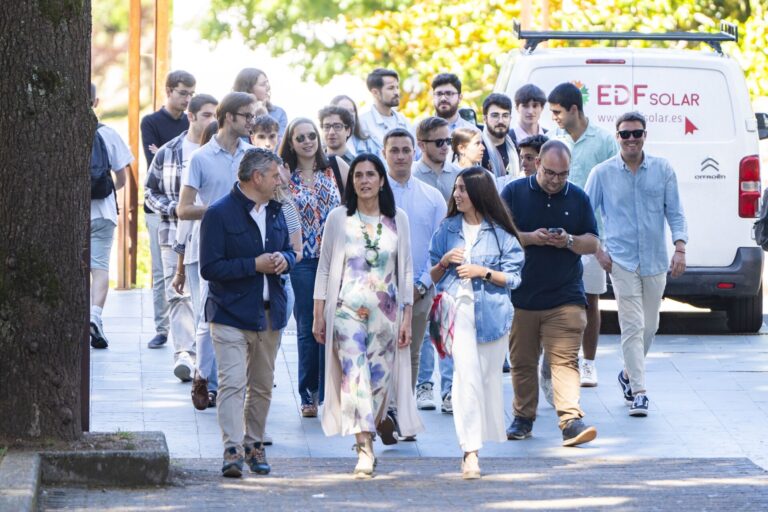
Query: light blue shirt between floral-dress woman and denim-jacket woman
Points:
[425, 208]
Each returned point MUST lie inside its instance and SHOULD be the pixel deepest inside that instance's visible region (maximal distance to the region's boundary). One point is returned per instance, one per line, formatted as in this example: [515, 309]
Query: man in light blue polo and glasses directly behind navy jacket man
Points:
[212, 172]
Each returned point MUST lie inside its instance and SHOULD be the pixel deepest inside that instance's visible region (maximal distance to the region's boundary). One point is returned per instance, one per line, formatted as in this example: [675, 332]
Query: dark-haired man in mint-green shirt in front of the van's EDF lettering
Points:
[590, 145]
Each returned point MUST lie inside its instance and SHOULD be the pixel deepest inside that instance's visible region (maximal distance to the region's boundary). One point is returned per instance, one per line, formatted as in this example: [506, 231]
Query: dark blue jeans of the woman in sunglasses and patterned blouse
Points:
[311, 353]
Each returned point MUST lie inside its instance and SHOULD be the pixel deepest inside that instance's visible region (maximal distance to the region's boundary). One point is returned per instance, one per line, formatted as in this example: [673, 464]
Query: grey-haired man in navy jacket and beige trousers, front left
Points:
[244, 249]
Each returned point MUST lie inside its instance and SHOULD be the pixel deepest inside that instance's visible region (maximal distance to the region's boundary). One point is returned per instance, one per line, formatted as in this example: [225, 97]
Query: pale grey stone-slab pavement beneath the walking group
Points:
[709, 398]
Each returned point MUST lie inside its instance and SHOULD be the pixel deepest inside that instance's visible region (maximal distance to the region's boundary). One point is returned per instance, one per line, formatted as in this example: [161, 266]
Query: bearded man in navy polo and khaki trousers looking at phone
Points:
[557, 226]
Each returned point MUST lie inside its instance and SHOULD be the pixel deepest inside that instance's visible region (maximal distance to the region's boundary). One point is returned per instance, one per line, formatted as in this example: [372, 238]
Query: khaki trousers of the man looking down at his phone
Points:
[558, 331]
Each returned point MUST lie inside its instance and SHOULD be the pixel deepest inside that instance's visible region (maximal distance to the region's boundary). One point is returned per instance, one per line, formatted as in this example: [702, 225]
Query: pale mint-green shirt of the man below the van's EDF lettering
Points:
[594, 146]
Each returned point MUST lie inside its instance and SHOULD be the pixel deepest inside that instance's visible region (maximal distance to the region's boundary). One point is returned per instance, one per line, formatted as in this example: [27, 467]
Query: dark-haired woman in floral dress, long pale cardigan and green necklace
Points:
[363, 308]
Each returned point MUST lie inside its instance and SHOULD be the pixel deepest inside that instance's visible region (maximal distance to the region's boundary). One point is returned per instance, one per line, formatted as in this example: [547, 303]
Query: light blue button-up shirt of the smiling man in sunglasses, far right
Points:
[634, 207]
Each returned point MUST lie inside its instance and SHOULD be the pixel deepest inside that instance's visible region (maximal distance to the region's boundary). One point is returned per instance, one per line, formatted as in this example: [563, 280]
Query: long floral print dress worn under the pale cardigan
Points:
[364, 329]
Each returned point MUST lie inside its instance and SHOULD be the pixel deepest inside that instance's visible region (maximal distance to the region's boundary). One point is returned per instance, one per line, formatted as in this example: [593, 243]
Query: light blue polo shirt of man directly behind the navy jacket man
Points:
[213, 170]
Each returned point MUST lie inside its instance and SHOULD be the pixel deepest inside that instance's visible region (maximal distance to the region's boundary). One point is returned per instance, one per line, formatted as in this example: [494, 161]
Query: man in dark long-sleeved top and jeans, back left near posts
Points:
[158, 128]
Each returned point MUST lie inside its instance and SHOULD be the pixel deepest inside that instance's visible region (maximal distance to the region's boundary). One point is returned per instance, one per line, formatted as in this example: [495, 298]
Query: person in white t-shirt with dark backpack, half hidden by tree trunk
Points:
[103, 223]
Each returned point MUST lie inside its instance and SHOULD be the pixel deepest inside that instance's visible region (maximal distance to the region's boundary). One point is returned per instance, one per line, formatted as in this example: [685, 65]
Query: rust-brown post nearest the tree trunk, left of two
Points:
[128, 197]
